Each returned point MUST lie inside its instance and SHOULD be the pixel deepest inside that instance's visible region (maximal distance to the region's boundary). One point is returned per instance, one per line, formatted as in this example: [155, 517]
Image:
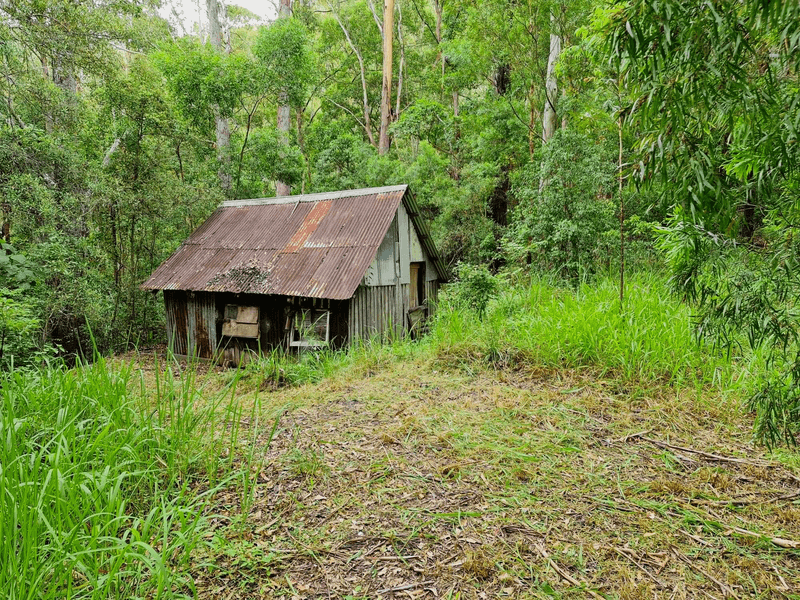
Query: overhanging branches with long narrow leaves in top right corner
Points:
[716, 75]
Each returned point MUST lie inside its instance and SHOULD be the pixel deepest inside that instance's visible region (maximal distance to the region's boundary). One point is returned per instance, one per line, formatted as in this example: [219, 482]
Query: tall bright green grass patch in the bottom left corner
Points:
[96, 496]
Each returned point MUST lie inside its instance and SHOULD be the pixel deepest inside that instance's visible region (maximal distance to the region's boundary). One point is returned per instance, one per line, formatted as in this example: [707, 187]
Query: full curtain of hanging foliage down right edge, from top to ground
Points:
[718, 101]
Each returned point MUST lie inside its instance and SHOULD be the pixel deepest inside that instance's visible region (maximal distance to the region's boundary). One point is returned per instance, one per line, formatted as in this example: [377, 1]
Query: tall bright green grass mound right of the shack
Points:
[542, 323]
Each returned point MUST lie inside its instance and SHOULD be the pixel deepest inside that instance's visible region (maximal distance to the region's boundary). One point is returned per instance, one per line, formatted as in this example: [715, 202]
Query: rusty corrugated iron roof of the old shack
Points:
[312, 245]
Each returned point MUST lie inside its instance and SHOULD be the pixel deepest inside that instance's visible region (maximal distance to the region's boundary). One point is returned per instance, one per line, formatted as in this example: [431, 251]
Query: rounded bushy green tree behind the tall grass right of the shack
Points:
[564, 205]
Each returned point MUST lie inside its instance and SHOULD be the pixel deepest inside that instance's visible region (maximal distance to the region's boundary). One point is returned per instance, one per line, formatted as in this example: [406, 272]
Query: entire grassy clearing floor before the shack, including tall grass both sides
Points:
[555, 448]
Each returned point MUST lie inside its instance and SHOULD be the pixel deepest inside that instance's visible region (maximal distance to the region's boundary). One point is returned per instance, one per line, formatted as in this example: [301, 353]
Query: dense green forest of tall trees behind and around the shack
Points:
[577, 137]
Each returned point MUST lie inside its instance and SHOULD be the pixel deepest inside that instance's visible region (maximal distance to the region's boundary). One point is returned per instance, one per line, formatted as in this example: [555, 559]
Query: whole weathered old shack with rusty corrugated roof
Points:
[313, 270]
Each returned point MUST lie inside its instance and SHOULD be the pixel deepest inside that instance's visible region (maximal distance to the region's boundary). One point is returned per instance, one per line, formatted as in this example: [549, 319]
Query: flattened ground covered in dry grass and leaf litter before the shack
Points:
[418, 480]
